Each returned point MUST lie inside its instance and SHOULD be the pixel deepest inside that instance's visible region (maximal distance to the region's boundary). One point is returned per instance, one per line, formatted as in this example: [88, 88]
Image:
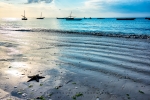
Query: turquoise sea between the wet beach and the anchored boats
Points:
[139, 26]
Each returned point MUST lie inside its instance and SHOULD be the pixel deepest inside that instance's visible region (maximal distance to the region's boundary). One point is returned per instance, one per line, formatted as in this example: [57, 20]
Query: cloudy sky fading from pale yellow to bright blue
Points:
[79, 8]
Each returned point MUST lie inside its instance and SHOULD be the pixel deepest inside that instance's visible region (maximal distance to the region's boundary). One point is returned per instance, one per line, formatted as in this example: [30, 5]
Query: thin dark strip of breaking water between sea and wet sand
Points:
[94, 33]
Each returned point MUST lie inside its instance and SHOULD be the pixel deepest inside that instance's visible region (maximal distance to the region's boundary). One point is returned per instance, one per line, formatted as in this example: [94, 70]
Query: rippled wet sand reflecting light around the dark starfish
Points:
[94, 67]
